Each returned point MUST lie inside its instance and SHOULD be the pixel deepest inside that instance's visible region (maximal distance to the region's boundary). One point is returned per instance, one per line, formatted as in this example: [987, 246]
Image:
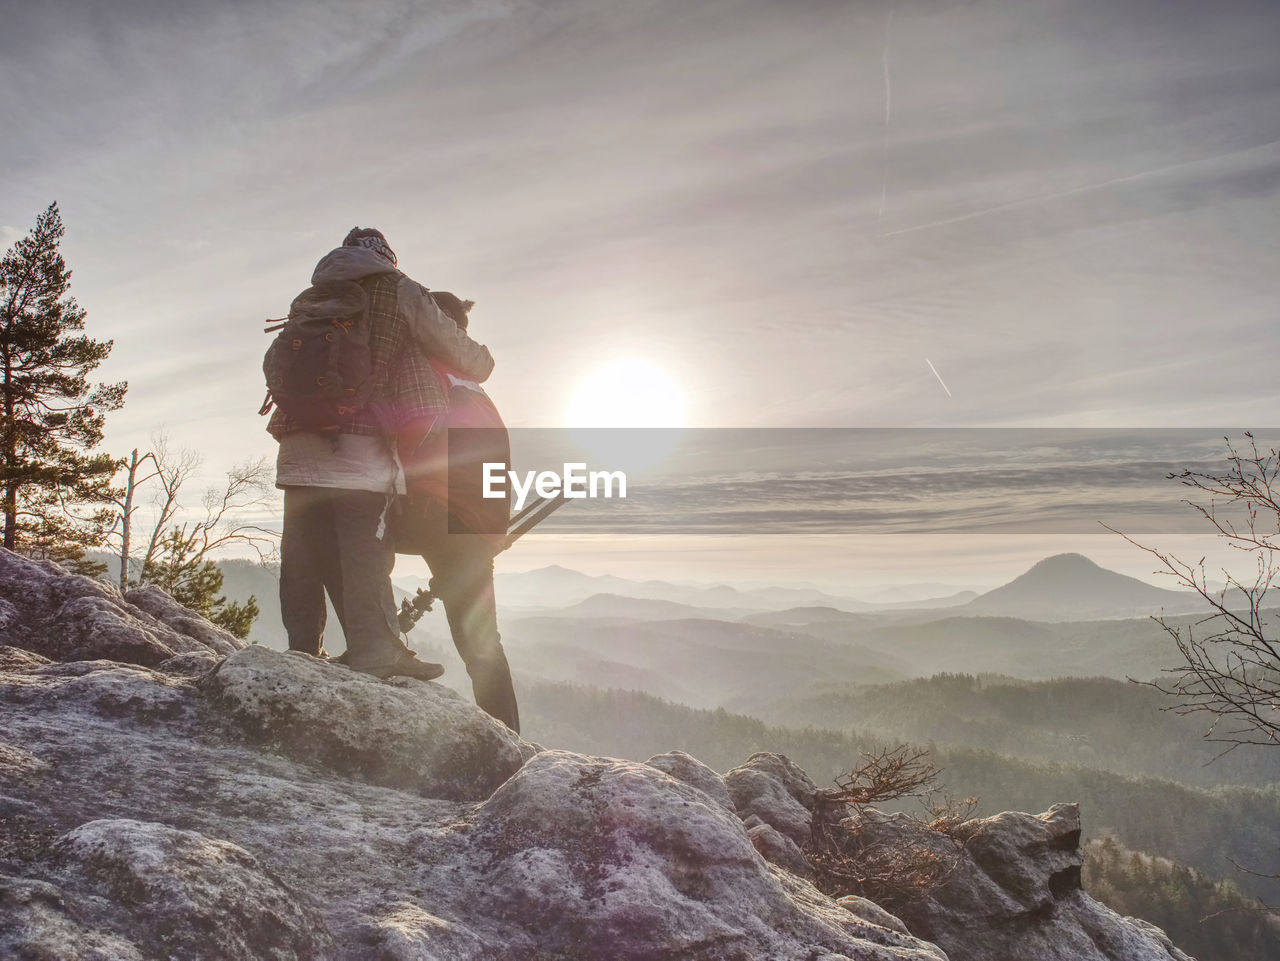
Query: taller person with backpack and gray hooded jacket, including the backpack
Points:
[349, 370]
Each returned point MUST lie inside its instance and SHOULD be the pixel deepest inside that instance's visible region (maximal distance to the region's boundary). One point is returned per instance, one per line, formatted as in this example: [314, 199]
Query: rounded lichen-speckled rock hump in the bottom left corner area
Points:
[181, 894]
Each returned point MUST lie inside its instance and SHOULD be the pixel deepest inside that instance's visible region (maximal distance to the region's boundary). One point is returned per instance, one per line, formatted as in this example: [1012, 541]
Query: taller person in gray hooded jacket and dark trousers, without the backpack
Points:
[340, 487]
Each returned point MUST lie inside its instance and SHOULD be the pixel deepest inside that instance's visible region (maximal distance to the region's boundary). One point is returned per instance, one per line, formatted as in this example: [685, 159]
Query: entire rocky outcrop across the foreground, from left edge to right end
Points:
[167, 794]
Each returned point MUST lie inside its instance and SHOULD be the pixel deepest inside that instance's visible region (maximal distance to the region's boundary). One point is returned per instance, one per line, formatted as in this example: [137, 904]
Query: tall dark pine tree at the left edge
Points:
[51, 479]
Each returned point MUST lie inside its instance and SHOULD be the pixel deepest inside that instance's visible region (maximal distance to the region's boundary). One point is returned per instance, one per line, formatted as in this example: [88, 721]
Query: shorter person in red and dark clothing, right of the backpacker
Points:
[449, 521]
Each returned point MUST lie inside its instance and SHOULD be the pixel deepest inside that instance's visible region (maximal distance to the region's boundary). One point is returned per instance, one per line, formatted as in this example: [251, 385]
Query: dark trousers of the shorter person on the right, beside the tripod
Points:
[463, 579]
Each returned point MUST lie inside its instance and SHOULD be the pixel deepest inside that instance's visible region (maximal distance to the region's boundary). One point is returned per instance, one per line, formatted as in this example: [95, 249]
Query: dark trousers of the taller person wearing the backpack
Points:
[331, 544]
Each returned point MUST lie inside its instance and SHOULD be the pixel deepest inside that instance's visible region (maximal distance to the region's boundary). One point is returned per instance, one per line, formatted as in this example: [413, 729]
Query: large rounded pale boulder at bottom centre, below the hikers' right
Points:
[624, 863]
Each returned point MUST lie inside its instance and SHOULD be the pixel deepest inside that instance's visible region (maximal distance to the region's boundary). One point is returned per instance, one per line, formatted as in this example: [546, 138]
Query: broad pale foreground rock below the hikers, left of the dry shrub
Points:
[167, 816]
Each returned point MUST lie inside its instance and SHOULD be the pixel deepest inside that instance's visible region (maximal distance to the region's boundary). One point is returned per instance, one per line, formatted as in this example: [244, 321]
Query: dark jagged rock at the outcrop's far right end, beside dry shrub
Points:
[1016, 893]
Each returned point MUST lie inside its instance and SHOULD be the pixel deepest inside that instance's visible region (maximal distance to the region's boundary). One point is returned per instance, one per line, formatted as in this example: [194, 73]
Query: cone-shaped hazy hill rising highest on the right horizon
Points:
[1073, 588]
